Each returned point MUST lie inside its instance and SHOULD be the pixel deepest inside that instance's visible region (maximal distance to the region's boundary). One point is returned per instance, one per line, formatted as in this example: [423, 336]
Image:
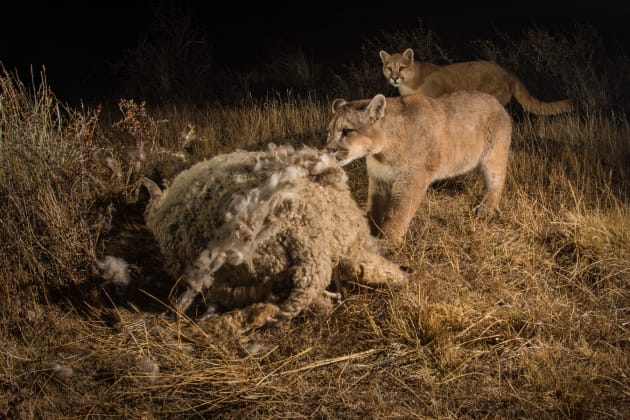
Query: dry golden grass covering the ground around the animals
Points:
[522, 316]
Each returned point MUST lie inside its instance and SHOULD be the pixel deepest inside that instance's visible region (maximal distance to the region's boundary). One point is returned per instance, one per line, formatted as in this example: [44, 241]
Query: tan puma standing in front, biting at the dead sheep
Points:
[411, 141]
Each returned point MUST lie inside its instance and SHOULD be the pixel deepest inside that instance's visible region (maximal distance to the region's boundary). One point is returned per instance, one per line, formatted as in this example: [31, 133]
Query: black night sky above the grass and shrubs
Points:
[74, 41]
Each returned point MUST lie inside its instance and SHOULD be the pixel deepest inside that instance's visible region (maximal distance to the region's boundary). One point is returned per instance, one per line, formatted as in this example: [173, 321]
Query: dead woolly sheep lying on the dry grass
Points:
[259, 235]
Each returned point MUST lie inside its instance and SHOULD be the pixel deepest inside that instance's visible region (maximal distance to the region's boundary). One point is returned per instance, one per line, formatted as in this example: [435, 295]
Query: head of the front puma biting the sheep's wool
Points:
[353, 132]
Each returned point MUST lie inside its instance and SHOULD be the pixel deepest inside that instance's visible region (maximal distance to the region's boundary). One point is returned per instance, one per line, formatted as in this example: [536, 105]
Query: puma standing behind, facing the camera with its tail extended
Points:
[411, 76]
